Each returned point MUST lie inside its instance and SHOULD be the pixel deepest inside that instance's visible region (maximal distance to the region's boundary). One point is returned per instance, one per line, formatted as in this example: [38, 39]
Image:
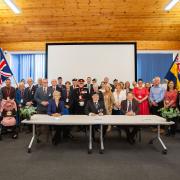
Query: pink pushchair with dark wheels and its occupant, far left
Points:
[8, 117]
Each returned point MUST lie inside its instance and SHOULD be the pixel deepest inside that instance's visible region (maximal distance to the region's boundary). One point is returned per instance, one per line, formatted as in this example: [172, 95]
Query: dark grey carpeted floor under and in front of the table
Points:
[70, 161]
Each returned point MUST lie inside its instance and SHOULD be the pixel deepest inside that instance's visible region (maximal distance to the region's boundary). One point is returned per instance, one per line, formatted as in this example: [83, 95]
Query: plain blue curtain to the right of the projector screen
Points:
[150, 65]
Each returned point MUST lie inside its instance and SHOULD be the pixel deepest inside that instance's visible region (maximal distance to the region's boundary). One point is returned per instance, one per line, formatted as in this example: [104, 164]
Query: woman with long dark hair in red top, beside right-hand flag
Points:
[170, 99]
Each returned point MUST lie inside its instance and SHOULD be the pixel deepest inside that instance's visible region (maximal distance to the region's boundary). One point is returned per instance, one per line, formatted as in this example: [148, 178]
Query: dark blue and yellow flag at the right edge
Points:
[174, 72]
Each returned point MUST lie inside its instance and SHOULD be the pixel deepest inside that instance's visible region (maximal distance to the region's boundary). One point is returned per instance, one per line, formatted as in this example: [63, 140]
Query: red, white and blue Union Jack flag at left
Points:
[5, 71]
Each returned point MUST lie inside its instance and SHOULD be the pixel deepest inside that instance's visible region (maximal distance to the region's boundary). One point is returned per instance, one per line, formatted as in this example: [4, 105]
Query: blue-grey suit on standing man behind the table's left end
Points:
[40, 96]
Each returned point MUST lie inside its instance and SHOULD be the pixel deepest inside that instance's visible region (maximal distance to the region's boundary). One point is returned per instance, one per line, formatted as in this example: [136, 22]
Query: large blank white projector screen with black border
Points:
[97, 60]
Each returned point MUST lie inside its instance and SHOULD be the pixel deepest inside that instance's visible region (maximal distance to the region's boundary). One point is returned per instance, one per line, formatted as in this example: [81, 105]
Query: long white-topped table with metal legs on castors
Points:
[121, 120]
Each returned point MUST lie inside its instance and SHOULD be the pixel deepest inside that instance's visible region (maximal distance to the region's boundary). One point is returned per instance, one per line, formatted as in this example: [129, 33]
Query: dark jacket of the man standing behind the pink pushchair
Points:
[5, 92]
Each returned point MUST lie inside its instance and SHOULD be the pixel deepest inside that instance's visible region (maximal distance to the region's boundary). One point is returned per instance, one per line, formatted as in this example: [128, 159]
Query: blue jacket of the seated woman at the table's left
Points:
[52, 108]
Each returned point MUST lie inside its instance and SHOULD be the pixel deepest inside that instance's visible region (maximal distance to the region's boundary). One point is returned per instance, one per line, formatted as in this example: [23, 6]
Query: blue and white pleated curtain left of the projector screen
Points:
[28, 65]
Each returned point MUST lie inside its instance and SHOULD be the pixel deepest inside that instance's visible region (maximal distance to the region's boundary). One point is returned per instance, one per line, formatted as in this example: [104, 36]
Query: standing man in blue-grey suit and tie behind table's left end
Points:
[42, 96]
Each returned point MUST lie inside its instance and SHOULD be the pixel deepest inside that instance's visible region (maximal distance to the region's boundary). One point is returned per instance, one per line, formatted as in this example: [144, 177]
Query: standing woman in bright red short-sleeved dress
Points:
[141, 96]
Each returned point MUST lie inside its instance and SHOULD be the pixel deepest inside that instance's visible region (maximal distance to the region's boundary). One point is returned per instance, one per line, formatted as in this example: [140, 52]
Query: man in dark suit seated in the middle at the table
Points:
[95, 107]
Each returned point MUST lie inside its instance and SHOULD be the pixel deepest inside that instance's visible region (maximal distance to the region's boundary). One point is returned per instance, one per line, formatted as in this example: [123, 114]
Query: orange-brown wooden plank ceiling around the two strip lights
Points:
[73, 20]
